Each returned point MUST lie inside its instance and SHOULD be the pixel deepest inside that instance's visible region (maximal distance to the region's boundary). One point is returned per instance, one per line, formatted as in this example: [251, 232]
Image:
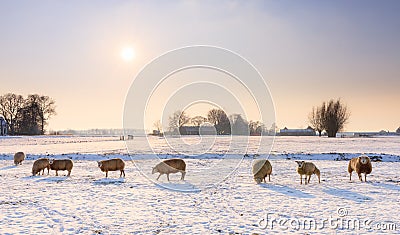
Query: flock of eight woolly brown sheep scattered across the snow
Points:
[261, 168]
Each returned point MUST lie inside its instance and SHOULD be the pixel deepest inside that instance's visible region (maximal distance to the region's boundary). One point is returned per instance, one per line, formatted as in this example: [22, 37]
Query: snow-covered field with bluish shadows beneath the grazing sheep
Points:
[88, 203]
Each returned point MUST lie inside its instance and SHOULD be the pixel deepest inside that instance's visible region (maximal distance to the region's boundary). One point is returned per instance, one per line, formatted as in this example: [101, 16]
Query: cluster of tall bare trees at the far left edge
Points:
[26, 116]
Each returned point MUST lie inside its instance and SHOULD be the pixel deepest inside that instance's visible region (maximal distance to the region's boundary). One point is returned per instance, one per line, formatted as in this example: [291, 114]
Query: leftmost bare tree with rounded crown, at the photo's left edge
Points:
[10, 105]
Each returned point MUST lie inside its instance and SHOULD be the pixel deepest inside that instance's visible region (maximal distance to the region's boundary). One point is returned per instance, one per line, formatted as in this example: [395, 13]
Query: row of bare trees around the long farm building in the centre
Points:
[233, 124]
